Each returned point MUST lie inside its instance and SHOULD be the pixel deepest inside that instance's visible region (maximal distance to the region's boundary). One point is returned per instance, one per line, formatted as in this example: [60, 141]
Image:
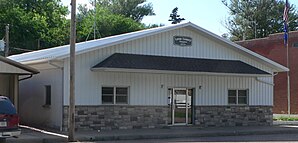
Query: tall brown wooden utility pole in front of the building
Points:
[71, 112]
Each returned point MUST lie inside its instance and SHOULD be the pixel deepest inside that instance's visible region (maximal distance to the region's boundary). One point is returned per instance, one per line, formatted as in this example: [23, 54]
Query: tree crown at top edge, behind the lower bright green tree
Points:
[134, 9]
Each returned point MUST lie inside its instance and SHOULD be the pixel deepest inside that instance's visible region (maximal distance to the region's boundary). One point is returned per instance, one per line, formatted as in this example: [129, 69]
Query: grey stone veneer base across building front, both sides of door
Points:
[110, 117]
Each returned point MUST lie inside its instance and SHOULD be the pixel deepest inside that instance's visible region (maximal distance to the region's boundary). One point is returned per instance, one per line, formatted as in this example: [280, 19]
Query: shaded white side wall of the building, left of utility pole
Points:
[32, 92]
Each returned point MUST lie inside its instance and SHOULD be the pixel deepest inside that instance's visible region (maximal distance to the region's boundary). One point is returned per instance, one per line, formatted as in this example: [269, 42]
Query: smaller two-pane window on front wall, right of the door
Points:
[238, 97]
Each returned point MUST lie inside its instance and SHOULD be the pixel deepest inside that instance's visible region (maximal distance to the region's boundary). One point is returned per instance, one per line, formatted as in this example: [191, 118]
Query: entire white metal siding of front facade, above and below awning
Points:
[145, 88]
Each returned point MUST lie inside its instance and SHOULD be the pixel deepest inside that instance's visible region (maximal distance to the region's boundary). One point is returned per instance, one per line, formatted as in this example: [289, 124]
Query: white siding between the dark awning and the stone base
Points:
[151, 89]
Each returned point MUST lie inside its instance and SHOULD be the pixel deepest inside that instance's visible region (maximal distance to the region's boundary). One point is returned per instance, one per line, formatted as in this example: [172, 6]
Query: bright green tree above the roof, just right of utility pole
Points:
[107, 23]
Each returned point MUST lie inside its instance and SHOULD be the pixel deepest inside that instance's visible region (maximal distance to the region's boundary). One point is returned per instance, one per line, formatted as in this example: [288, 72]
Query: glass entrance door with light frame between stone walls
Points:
[181, 106]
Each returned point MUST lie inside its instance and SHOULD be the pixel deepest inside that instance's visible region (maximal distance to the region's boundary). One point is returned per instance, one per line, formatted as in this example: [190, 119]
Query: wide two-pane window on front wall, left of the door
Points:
[114, 95]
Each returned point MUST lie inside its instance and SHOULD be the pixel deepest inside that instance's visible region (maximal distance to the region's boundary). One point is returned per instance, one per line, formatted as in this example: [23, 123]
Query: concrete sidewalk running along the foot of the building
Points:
[169, 132]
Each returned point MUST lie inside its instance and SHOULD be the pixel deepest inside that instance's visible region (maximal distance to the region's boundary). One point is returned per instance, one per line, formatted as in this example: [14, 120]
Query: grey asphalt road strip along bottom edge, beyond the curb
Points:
[238, 139]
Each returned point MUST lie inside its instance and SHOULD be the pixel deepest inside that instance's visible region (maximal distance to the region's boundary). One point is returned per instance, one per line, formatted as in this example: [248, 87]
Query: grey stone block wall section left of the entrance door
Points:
[110, 117]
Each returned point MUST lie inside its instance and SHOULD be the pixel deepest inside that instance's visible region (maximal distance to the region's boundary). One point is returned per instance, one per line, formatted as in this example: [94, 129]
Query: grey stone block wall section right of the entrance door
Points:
[220, 116]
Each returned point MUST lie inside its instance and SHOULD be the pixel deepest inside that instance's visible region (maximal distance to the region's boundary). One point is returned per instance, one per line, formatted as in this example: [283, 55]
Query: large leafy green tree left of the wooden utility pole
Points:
[34, 23]
